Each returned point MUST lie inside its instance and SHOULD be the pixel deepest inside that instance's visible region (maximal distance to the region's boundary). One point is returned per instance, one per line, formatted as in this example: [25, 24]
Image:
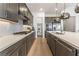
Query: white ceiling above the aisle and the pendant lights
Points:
[48, 8]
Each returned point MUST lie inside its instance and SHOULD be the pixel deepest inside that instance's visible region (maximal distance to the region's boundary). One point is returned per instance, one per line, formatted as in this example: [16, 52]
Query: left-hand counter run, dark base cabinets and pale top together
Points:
[16, 45]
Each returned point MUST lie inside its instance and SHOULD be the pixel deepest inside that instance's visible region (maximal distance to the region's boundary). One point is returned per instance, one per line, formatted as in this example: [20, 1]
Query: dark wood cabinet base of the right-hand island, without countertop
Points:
[58, 47]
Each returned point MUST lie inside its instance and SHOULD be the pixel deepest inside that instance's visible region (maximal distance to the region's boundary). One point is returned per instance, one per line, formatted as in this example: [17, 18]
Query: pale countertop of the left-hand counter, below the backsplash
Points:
[9, 40]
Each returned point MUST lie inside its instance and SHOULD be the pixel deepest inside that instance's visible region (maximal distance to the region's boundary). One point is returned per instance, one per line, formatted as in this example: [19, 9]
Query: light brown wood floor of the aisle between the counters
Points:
[40, 48]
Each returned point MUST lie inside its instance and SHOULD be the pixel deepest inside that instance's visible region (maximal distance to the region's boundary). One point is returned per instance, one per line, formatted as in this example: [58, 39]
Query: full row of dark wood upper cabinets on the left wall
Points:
[15, 11]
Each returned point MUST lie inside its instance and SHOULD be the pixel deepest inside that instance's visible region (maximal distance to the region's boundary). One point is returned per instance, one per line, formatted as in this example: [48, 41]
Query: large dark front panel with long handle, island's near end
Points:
[64, 50]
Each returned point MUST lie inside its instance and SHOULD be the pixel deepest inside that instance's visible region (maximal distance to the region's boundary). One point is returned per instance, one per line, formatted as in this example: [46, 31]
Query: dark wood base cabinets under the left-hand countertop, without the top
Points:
[20, 48]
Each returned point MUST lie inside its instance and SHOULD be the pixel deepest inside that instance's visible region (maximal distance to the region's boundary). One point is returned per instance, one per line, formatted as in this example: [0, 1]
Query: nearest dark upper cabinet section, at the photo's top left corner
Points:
[9, 11]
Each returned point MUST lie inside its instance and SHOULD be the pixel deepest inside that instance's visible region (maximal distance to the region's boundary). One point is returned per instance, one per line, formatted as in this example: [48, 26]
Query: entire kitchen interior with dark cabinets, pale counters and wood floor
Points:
[26, 27]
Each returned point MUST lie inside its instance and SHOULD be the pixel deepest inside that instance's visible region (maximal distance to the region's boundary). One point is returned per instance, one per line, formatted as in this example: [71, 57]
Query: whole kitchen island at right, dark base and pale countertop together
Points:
[66, 44]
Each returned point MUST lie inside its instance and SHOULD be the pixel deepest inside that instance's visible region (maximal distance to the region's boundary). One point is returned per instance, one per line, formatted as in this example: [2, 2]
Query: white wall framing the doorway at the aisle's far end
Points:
[39, 17]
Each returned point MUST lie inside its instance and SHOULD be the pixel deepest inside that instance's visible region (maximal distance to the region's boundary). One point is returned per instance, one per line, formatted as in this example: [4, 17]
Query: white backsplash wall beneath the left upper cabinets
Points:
[9, 28]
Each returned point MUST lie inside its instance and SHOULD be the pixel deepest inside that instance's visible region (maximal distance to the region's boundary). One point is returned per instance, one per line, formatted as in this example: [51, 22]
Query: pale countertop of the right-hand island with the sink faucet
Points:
[72, 38]
